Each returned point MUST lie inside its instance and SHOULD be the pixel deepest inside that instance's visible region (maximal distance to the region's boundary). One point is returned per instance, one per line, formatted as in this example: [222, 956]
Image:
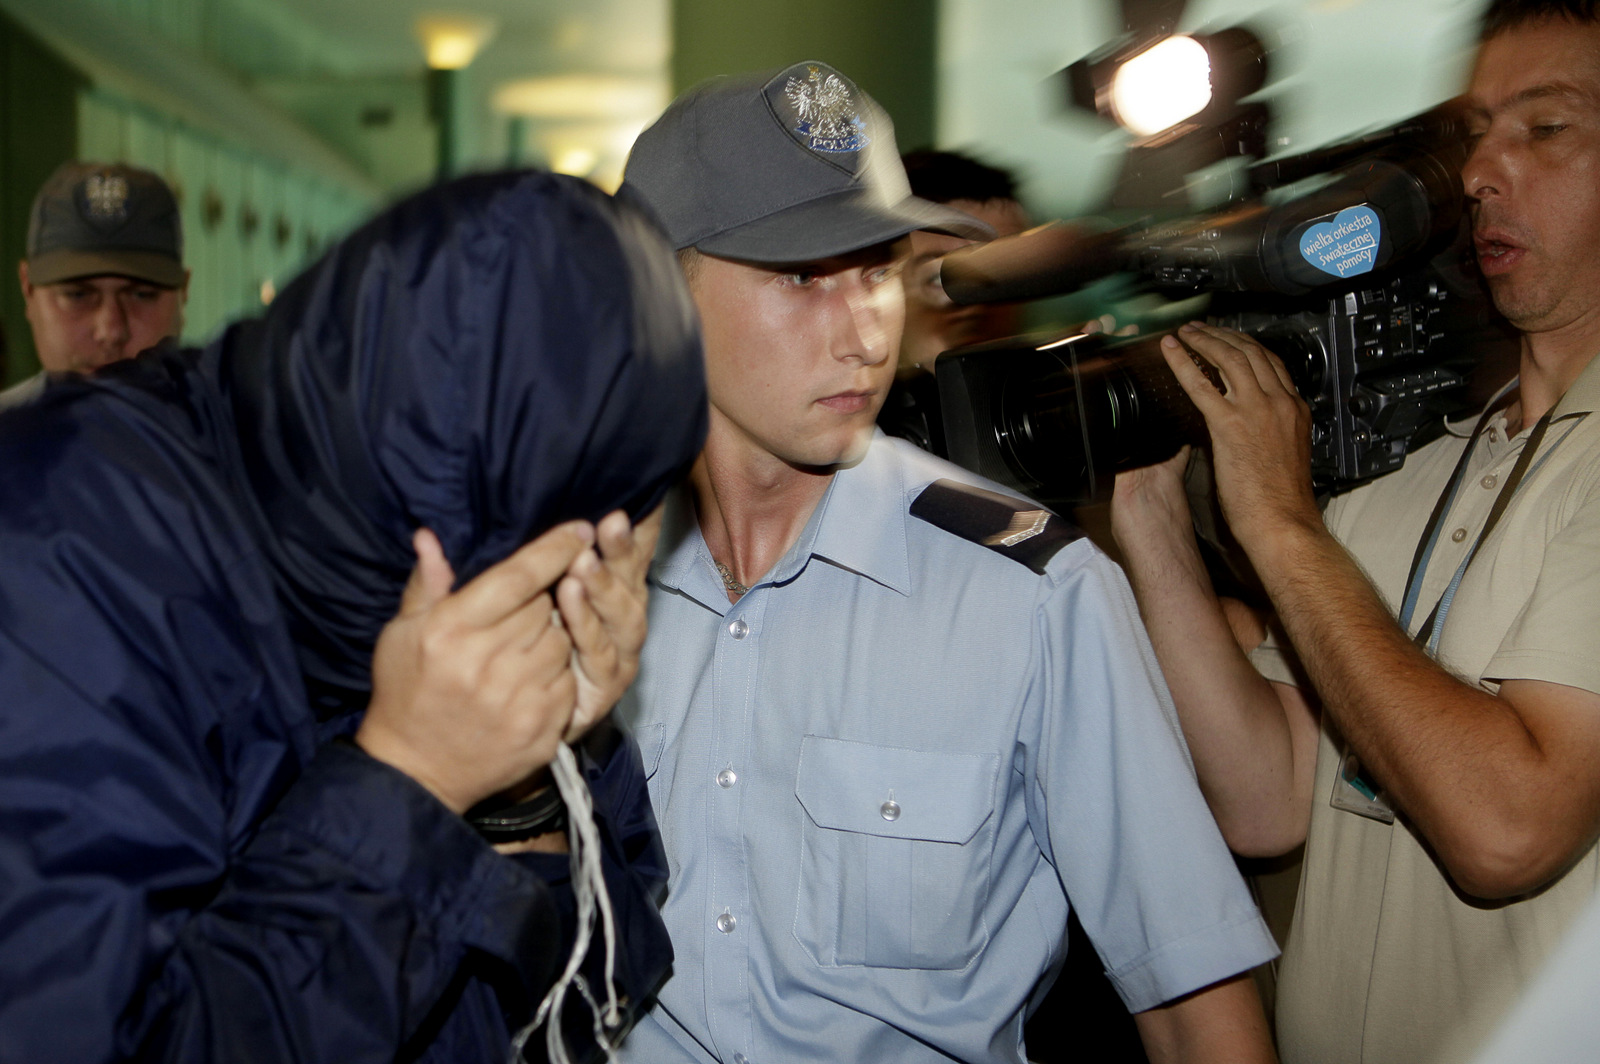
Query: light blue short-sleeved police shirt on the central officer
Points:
[884, 772]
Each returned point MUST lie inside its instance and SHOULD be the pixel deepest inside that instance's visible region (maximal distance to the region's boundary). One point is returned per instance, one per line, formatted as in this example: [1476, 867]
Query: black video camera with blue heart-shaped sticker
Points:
[1358, 286]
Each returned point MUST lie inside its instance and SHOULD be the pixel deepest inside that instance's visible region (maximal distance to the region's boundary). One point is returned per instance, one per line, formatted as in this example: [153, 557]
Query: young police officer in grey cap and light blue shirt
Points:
[895, 722]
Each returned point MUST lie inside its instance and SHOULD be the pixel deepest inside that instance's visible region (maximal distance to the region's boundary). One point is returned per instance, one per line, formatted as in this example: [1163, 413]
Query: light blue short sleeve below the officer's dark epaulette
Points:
[1132, 839]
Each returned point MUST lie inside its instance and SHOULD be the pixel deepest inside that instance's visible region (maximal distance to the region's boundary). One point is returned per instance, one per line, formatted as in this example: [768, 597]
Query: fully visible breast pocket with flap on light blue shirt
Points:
[895, 855]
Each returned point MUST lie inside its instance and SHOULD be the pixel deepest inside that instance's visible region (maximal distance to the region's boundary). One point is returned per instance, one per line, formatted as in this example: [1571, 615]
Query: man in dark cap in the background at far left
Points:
[105, 273]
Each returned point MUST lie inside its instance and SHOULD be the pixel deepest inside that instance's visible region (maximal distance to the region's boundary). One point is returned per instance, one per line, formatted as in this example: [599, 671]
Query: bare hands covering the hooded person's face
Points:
[476, 689]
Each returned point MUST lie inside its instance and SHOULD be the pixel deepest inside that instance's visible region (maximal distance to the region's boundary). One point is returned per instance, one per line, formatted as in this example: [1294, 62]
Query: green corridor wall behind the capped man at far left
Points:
[150, 82]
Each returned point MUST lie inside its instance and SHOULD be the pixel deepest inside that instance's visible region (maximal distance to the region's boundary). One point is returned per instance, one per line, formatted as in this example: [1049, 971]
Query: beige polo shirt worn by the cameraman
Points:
[1386, 964]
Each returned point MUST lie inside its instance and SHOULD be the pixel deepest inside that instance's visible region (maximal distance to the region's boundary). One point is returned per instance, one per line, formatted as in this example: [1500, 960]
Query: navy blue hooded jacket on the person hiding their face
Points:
[198, 553]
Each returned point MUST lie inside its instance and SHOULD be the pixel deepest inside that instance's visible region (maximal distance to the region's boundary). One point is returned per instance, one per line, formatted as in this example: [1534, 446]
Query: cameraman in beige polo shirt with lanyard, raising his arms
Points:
[1442, 770]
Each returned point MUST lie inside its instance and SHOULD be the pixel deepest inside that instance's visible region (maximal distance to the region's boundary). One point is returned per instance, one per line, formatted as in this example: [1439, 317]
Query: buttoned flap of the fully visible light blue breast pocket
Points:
[862, 786]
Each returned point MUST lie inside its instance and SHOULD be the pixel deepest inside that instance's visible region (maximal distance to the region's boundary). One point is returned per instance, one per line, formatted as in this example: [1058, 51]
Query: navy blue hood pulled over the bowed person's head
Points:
[487, 359]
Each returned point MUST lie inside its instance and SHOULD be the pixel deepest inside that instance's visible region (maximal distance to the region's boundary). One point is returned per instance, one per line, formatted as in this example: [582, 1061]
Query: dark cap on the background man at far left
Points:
[92, 220]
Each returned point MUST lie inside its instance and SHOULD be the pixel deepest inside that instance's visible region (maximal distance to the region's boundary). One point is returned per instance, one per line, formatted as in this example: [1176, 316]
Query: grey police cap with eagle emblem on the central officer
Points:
[783, 167]
